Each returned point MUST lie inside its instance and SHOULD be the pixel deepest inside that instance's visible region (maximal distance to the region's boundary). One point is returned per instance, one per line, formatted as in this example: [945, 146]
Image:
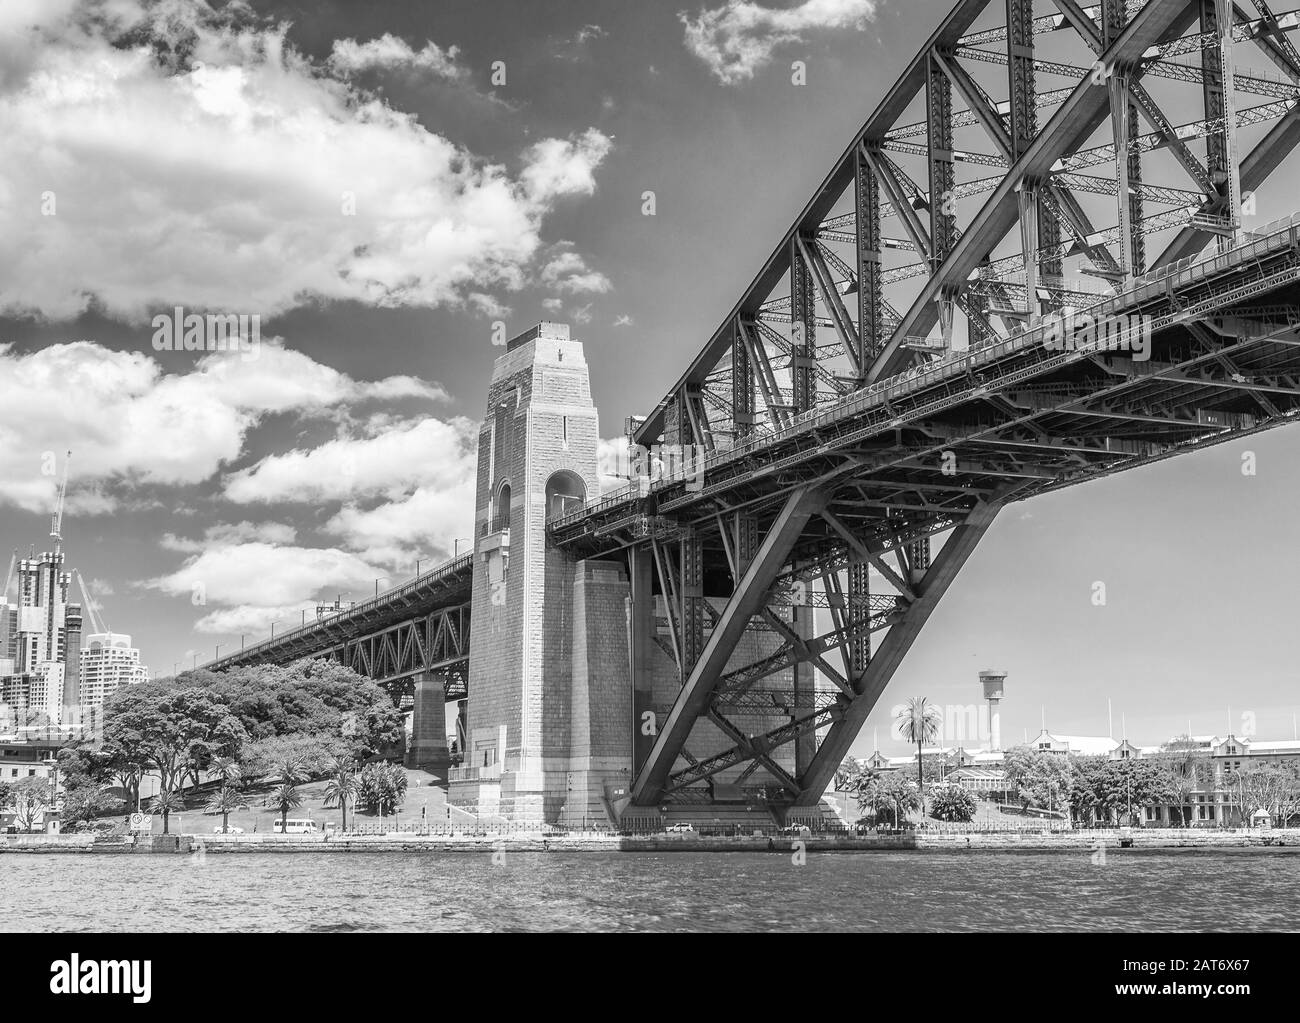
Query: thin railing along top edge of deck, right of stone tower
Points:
[1163, 279]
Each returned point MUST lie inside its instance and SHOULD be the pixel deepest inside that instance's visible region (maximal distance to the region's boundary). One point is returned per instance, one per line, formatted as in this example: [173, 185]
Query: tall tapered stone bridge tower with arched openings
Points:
[548, 731]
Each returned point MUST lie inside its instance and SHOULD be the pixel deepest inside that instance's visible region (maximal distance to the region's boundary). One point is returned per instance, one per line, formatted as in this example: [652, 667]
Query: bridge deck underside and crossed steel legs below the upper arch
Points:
[853, 504]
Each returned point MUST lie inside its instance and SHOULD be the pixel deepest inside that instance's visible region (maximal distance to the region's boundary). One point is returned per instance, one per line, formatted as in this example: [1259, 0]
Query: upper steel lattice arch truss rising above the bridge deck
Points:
[1125, 42]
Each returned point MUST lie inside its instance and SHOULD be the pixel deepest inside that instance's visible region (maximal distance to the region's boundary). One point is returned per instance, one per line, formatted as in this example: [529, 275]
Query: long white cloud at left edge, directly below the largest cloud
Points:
[133, 423]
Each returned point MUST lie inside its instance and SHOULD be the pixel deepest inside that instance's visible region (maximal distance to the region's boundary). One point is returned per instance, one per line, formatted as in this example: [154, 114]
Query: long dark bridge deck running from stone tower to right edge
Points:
[1081, 413]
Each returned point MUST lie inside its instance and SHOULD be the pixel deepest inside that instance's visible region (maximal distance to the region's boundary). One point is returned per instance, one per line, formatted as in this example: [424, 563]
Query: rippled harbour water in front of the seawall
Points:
[651, 892]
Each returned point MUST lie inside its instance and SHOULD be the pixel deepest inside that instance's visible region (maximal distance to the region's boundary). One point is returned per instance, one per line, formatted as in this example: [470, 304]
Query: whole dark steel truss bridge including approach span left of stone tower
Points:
[873, 393]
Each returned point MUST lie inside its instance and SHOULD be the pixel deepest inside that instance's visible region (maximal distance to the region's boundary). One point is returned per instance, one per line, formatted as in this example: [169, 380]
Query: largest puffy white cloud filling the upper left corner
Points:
[163, 153]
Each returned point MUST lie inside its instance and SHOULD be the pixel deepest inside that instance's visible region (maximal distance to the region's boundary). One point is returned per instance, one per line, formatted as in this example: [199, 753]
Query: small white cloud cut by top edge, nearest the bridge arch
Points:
[740, 37]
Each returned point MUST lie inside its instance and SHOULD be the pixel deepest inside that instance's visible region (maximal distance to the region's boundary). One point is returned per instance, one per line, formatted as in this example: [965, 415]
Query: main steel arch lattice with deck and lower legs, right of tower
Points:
[1019, 419]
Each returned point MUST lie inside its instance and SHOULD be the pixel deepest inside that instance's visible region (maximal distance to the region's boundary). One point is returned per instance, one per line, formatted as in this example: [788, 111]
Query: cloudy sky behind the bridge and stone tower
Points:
[382, 184]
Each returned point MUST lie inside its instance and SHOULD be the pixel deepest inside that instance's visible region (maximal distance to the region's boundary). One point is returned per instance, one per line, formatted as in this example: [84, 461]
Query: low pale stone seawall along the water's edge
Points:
[526, 842]
